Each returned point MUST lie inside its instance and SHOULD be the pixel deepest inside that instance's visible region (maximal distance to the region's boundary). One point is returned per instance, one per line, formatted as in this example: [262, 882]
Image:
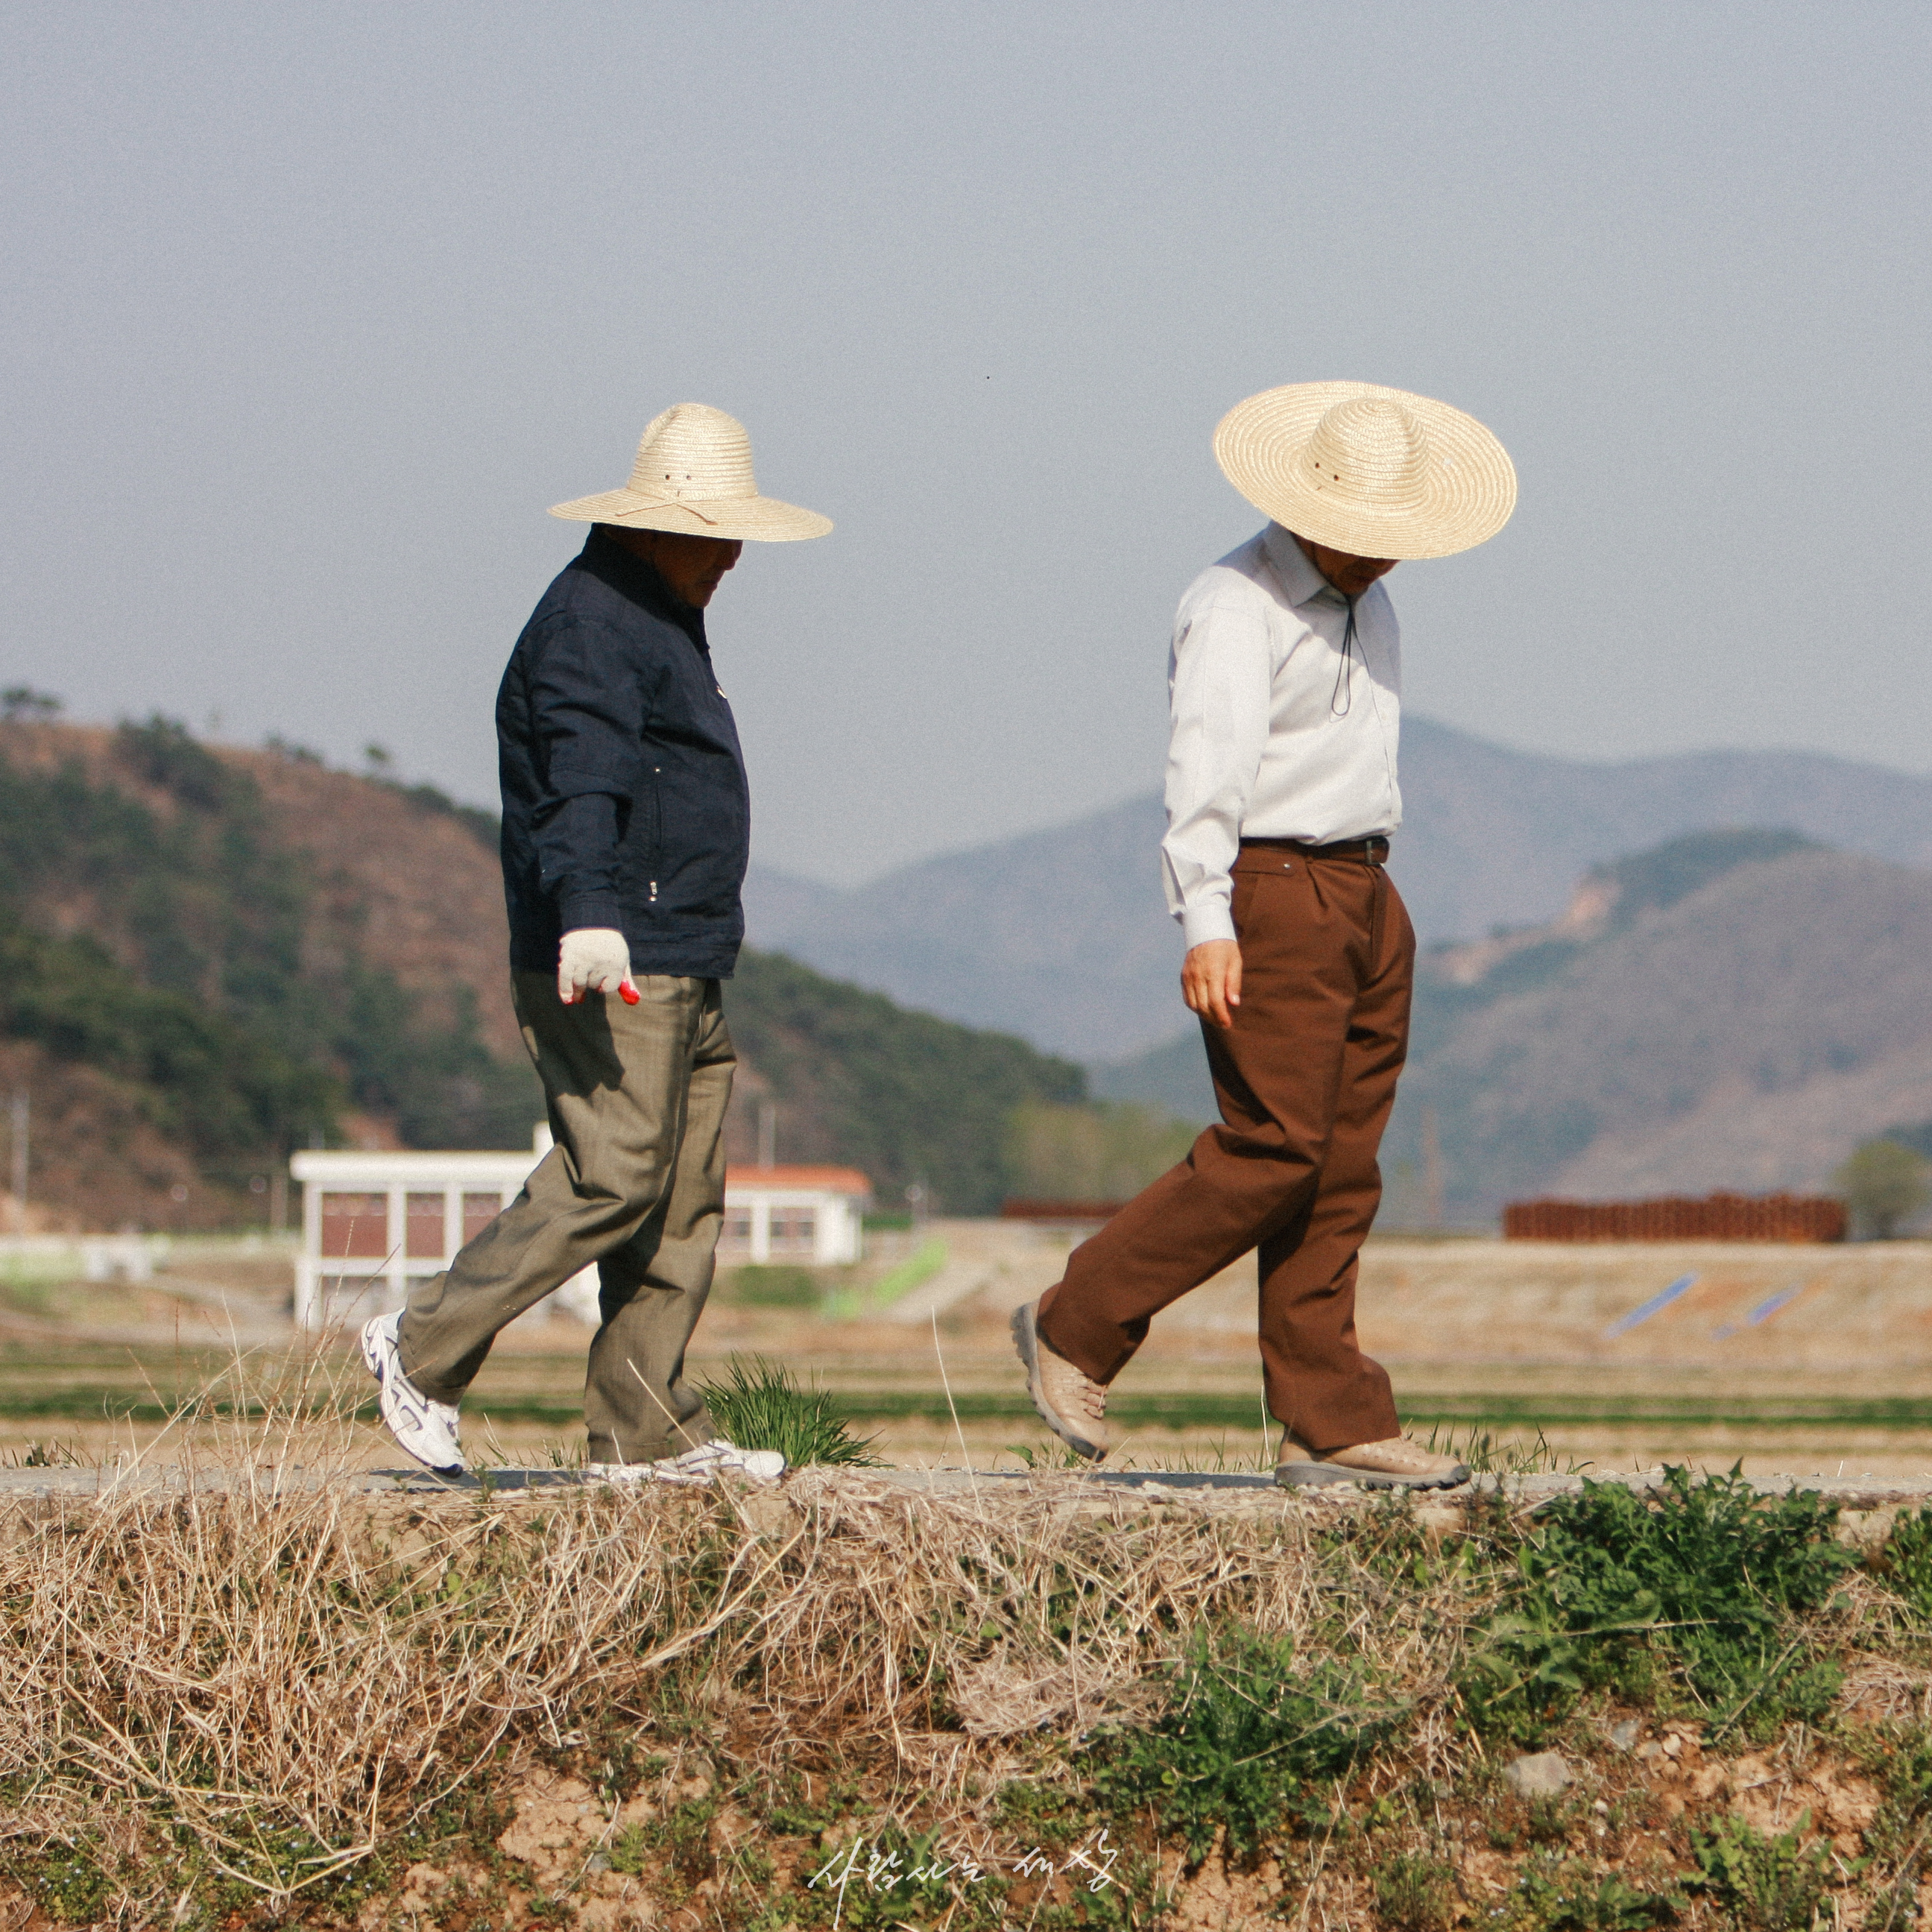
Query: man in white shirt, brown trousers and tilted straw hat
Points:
[1282, 797]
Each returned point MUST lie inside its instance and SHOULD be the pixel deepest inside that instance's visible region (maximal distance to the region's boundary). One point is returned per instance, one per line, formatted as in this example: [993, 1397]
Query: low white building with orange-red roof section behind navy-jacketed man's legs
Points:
[374, 1222]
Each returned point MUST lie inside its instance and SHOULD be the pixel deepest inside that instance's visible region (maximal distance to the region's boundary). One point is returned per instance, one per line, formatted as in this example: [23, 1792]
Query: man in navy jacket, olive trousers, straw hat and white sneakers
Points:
[625, 841]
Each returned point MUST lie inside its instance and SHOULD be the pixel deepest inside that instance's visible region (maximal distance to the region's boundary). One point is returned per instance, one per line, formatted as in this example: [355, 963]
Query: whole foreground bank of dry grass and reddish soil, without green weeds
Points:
[291, 1703]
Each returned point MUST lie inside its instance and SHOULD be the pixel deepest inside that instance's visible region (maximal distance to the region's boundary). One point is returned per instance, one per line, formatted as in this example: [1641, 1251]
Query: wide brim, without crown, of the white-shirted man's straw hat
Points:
[1471, 484]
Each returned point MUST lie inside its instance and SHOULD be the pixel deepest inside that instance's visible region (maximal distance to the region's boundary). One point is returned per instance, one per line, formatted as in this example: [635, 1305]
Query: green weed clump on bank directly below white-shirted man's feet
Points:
[1247, 1742]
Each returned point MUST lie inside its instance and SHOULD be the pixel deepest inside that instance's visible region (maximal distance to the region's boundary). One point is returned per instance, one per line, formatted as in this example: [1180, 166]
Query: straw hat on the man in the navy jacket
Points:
[695, 476]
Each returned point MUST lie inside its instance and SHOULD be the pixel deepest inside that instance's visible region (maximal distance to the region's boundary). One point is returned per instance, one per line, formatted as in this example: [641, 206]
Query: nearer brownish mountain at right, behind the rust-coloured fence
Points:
[1747, 1035]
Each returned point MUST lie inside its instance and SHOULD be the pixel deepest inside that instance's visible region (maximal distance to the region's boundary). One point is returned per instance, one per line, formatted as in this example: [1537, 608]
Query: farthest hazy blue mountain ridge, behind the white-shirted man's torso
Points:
[1064, 938]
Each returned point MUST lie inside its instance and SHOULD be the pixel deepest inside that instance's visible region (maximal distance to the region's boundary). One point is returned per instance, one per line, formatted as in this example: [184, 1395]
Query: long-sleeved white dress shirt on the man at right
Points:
[1276, 733]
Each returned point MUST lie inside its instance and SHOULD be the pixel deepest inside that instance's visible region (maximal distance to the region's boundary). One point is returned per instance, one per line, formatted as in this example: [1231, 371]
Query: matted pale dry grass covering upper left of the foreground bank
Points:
[268, 1686]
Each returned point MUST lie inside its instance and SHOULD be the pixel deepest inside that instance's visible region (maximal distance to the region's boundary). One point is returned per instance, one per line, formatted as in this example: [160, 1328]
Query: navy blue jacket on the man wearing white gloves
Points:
[623, 785]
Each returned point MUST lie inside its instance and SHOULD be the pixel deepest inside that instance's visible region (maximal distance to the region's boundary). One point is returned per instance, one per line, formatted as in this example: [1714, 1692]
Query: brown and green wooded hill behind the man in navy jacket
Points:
[210, 957]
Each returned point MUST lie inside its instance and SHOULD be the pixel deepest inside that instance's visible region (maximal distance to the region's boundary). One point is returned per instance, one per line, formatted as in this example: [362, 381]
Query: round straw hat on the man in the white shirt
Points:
[1369, 470]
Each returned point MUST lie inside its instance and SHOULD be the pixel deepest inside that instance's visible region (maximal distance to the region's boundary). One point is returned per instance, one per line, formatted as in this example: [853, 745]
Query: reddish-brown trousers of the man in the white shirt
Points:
[1305, 1079]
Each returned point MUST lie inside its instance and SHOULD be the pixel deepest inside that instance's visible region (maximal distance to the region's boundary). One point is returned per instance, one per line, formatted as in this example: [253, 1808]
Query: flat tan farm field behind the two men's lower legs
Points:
[1481, 1328]
